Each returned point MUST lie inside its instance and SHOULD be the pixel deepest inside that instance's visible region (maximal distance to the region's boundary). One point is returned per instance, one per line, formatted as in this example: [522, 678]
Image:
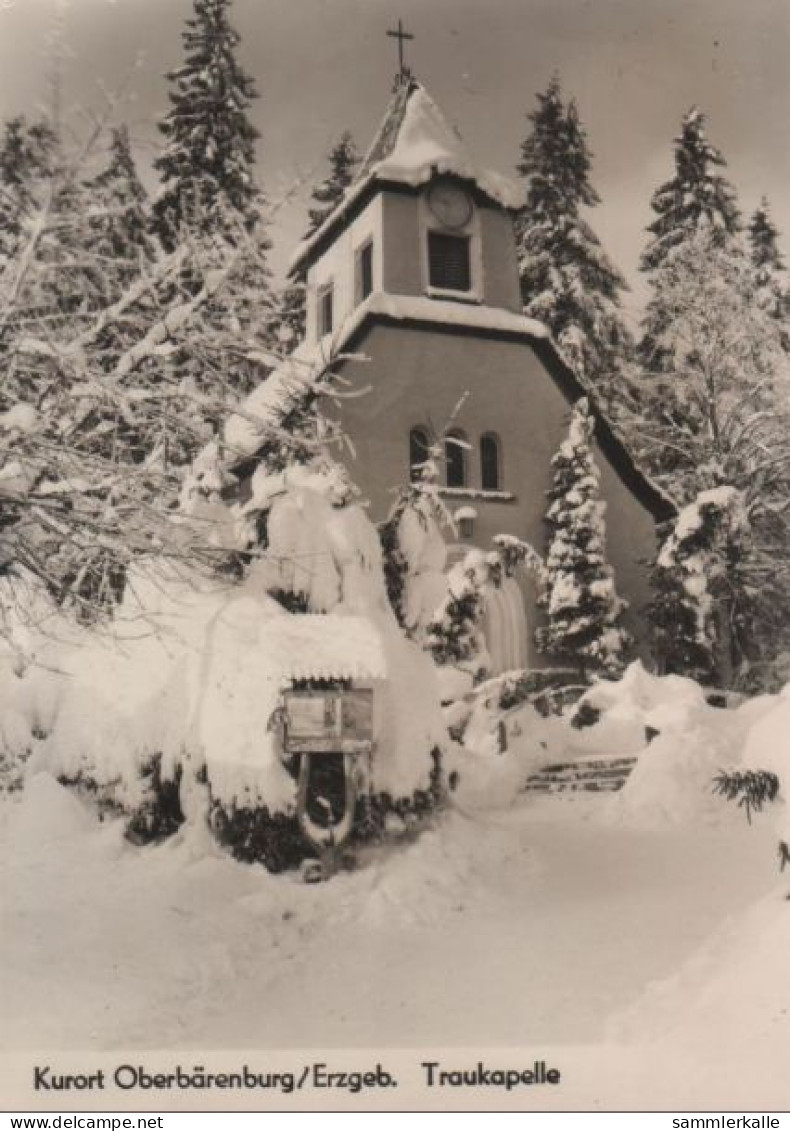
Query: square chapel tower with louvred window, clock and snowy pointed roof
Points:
[420, 221]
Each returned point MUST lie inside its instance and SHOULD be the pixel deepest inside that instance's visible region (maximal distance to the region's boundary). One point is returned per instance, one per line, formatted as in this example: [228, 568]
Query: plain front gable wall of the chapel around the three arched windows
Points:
[417, 378]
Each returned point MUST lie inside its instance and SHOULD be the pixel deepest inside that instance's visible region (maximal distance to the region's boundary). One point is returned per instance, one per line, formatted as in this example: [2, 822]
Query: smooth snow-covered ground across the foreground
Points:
[534, 923]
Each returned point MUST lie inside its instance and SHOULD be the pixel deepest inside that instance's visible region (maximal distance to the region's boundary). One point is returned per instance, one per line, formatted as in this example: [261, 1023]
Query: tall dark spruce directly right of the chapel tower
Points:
[568, 280]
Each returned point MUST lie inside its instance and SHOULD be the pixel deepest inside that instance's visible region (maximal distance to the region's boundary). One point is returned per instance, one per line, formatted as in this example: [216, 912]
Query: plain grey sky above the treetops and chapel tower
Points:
[323, 66]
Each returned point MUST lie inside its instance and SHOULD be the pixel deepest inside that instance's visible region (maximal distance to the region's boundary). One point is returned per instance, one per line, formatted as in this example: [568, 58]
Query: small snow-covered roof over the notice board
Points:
[325, 646]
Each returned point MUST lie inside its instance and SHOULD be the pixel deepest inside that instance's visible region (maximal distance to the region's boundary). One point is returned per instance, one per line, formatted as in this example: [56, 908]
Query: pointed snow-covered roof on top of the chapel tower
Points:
[414, 144]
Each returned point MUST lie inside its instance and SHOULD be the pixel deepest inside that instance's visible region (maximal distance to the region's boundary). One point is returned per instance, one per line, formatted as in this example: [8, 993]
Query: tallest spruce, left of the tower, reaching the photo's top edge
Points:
[209, 197]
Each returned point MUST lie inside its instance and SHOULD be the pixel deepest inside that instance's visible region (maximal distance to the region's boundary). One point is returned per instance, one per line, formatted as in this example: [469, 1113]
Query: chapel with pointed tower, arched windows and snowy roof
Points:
[415, 273]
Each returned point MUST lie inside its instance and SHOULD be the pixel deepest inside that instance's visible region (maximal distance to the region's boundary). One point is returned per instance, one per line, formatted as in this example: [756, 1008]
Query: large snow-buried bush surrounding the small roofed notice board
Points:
[177, 710]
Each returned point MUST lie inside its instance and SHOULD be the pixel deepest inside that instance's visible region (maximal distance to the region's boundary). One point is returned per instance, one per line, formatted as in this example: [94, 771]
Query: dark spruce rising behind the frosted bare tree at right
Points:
[697, 198]
